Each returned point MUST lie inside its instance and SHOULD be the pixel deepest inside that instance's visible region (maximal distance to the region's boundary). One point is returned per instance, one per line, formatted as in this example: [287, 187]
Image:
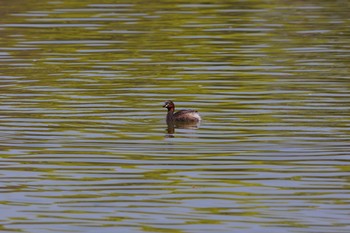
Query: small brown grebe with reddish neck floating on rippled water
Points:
[180, 116]
